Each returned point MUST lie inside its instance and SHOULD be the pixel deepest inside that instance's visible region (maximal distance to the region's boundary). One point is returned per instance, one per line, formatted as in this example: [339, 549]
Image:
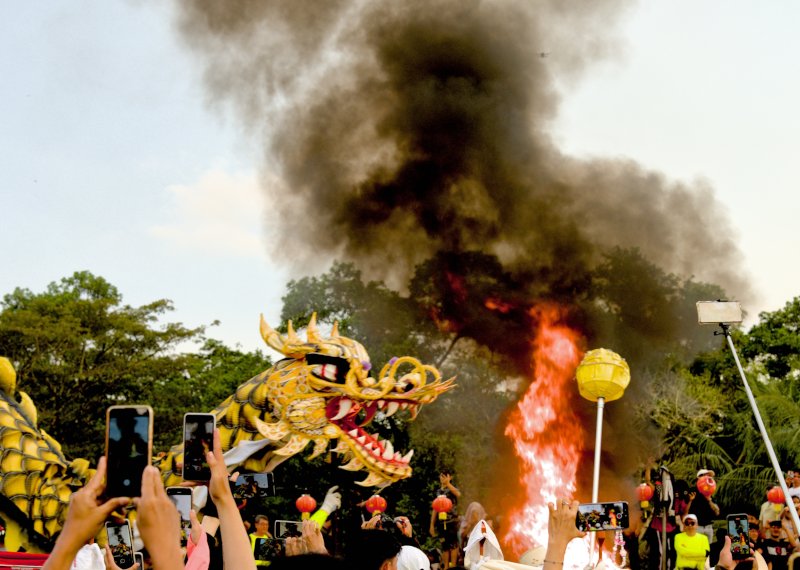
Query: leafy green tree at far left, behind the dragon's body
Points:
[78, 349]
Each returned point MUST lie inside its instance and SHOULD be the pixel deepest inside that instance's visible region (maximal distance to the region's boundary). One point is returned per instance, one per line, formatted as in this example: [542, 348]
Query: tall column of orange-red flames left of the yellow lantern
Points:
[548, 435]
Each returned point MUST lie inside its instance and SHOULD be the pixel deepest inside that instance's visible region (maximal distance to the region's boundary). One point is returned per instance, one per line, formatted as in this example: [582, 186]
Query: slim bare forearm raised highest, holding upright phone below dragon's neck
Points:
[236, 552]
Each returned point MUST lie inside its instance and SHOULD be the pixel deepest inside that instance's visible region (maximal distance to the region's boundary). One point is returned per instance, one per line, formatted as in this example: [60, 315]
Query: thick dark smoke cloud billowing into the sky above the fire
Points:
[418, 130]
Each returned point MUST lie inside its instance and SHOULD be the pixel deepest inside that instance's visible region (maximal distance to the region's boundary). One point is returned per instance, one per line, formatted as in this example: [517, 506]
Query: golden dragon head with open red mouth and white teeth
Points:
[324, 390]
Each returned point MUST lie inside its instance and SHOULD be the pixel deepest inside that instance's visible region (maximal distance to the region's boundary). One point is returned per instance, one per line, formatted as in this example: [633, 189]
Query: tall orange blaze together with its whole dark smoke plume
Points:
[413, 138]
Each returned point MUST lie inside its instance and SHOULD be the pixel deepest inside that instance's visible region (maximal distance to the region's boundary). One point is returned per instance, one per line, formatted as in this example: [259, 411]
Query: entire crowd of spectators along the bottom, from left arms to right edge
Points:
[677, 534]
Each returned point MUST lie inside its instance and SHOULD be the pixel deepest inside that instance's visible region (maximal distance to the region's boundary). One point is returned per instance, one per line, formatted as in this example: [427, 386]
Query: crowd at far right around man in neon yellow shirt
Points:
[681, 528]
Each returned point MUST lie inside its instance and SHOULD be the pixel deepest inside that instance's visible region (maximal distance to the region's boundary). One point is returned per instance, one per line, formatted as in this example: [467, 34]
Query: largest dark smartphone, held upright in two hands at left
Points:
[129, 448]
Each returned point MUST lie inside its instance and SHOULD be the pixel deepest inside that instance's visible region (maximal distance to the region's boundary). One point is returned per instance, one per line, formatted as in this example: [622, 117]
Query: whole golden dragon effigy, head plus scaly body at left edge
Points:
[322, 390]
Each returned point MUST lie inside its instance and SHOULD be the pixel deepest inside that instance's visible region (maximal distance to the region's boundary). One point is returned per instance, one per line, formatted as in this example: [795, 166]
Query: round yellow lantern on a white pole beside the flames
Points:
[602, 374]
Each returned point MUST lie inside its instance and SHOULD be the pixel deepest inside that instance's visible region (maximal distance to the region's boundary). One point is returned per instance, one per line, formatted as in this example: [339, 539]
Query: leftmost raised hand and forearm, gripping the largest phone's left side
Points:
[85, 517]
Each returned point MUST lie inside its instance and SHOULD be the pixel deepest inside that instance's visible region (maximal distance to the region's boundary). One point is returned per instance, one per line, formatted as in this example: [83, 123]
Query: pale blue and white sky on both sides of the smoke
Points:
[115, 161]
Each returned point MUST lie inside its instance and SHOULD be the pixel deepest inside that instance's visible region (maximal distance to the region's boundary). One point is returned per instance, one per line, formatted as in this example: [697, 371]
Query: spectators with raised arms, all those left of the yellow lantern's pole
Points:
[383, 543]
